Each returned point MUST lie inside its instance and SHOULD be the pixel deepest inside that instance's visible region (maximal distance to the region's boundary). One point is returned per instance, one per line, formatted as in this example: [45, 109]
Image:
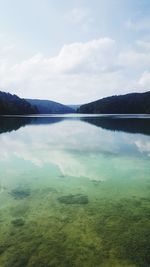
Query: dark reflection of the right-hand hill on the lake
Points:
[129, 125]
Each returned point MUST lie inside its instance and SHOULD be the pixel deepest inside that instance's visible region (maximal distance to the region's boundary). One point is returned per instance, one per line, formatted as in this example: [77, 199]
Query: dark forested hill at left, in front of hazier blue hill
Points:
[13, 105]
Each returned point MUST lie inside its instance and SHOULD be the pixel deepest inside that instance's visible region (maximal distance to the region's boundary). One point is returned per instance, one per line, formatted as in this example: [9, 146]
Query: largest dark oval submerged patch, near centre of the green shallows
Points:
[74, 199]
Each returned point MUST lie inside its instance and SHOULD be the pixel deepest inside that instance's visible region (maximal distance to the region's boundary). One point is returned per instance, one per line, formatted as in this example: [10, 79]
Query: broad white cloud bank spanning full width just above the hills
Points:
[79, 73]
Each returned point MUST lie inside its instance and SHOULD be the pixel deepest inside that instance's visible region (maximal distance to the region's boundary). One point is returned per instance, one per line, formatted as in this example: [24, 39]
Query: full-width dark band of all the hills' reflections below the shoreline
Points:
[129, 124]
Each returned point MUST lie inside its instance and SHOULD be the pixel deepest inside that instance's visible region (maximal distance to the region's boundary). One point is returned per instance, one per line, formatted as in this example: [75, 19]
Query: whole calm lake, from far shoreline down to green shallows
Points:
[75, 191]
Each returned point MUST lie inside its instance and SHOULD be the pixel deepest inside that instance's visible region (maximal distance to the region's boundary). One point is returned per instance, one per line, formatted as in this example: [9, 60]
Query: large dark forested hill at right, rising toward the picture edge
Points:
[134, 103]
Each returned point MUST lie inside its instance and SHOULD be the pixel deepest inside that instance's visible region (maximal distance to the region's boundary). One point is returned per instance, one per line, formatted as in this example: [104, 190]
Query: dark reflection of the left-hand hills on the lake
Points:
[8, 124]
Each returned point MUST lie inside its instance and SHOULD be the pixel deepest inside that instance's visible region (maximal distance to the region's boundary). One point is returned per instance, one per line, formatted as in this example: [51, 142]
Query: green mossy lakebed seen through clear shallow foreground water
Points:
[104, 233]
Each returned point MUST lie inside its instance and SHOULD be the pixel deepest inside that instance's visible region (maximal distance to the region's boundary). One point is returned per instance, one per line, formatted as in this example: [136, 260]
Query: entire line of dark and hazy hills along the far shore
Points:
[133, 103]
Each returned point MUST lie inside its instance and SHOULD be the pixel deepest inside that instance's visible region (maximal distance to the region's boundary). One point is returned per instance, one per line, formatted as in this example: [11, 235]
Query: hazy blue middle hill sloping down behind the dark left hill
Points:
[49, 107]
